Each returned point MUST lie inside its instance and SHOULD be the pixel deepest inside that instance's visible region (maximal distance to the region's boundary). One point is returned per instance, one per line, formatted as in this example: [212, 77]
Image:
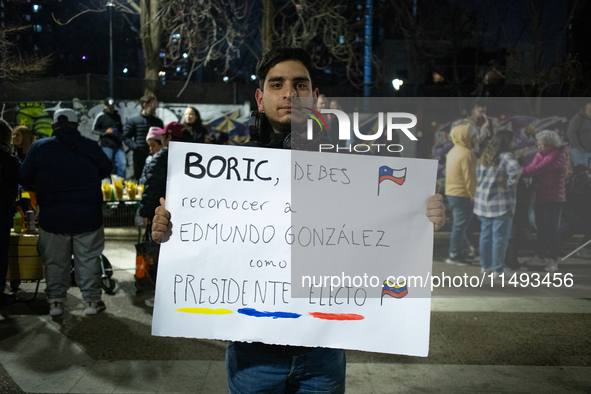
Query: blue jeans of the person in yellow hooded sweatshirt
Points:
[461, 211]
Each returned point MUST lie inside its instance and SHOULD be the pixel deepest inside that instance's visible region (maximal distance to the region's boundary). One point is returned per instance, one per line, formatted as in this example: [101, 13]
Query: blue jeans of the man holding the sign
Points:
[252, 370]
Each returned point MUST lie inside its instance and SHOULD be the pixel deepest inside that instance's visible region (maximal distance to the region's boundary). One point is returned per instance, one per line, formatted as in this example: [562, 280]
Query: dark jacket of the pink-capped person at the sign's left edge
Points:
[155, 183]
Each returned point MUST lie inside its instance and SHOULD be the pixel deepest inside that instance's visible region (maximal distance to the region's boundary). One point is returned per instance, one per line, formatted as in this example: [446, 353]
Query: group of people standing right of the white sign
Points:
[496, 187]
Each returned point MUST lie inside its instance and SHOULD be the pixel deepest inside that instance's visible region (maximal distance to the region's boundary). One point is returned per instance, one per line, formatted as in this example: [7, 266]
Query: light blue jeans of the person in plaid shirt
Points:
[494, 239]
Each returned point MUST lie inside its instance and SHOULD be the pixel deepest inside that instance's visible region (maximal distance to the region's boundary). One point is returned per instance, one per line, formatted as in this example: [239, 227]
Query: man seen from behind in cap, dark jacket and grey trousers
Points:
[65, 172]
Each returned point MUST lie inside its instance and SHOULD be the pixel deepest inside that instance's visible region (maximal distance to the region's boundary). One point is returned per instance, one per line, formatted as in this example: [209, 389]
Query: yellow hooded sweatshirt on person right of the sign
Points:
[460, 171]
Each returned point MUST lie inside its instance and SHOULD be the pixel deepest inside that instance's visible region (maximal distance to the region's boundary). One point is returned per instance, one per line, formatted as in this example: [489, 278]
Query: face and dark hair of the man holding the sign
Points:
[284, 80]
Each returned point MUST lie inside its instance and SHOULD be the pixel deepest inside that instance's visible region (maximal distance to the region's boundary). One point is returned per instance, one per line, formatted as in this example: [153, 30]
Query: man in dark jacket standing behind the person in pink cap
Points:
[136, 129]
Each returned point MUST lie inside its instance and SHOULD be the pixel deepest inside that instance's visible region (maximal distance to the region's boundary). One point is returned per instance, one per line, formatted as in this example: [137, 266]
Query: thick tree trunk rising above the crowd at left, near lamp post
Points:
[151, 29]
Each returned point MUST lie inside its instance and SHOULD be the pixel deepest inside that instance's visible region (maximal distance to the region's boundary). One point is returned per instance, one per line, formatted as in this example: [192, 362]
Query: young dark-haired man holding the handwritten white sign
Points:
[284, 73]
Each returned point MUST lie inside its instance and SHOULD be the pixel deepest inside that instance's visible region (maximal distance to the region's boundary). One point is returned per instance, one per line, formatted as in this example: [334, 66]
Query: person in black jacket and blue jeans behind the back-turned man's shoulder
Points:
[108, 126]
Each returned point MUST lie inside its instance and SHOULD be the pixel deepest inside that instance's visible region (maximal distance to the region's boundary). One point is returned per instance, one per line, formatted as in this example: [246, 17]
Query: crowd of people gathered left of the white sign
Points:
[63, 175]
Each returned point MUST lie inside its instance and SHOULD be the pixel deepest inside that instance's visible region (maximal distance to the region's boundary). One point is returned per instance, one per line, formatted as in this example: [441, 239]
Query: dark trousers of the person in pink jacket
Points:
[548, 224]
